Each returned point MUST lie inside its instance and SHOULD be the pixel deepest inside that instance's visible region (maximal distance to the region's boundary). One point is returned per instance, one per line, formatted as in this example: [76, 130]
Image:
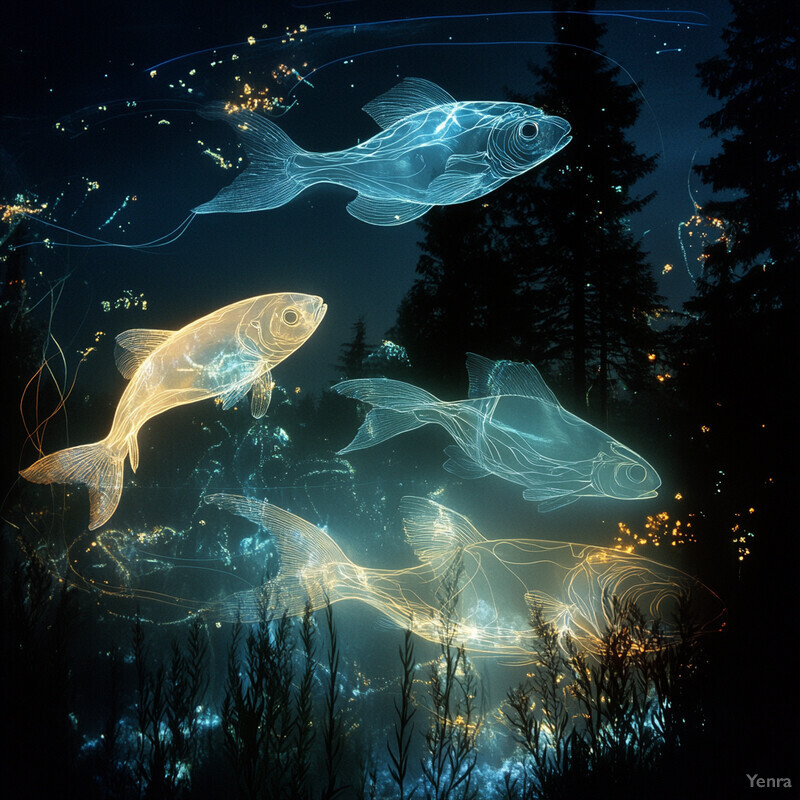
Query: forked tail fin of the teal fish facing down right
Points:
[395, 409]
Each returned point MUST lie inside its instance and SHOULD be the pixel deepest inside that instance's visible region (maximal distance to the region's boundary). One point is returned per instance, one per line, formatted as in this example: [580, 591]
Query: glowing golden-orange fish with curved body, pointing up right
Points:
[225, 354]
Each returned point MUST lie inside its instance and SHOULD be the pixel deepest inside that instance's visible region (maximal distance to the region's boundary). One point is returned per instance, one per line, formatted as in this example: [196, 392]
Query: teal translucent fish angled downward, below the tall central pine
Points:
[513, 427]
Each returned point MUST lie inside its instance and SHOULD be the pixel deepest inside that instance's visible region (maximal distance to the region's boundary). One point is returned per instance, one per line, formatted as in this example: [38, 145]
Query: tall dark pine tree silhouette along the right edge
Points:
[739, 354]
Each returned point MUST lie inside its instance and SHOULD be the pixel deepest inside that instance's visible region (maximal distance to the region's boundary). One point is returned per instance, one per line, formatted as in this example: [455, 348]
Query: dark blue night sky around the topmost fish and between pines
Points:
[82, 107]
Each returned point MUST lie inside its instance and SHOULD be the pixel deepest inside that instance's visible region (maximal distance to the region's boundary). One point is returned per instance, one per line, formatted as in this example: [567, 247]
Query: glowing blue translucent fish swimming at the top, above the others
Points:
[432, 151]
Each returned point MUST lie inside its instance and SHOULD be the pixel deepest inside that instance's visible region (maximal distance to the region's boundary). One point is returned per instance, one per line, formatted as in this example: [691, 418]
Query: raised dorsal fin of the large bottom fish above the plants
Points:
[436, 533]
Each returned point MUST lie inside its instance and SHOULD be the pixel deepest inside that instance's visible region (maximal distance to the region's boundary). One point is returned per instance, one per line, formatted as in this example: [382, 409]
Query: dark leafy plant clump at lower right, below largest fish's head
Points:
[580, 721]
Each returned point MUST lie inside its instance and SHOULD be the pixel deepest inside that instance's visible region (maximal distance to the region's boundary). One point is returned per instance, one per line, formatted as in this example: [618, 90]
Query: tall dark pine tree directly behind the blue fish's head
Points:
[588, 284]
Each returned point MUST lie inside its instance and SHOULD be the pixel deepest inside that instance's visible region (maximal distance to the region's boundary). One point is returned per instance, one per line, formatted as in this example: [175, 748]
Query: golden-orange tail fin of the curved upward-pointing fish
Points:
[96, 466]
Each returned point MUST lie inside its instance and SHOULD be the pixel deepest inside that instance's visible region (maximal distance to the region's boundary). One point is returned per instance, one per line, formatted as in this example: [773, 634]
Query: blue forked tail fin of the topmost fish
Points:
[268, 180]
